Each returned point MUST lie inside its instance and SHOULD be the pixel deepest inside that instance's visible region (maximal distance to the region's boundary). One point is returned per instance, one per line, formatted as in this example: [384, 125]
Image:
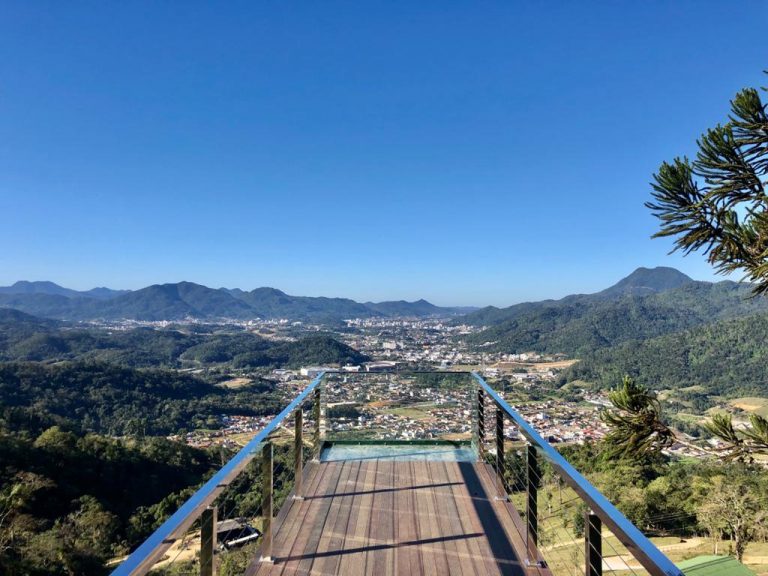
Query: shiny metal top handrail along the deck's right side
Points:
[651, 558]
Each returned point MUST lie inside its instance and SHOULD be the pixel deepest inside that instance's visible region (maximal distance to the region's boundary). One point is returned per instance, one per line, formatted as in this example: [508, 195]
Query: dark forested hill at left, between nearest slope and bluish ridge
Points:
[108, 399]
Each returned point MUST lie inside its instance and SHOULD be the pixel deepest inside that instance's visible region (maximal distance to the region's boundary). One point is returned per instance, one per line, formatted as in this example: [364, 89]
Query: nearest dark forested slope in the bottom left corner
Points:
[69, 502]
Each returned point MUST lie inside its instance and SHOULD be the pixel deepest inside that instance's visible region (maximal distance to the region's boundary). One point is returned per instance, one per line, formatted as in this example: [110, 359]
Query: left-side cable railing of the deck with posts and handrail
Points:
[237, 505]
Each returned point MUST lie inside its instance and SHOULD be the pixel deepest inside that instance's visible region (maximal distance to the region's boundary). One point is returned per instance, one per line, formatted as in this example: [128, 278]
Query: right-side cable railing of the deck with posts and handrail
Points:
[579, 533]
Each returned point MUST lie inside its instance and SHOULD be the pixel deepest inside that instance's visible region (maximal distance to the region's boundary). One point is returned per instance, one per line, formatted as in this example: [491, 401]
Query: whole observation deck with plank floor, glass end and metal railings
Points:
[384, 474]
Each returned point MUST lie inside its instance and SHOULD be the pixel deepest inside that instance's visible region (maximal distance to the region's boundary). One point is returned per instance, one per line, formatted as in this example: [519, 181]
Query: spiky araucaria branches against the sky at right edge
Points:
[718, 203]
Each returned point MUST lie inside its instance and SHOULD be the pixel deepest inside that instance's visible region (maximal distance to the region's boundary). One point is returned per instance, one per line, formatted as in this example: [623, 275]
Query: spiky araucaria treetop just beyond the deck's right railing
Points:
[637, 429]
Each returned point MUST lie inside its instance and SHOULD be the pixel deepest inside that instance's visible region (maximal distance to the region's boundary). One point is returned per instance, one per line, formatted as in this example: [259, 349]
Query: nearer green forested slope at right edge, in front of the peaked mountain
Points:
[727, 358]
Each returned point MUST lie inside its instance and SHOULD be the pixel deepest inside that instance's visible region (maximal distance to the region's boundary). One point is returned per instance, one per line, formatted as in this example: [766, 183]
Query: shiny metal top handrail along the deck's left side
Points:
[144, 557]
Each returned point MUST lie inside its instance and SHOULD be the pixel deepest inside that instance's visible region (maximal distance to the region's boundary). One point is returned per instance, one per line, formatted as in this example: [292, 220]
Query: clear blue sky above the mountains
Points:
[464, 152]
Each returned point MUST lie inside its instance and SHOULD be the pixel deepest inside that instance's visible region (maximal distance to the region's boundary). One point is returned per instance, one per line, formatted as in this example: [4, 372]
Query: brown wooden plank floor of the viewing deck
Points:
[387, 517]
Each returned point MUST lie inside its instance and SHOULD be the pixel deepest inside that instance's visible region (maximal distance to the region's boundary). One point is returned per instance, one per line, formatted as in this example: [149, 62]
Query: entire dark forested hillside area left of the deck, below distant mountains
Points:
[85, 470]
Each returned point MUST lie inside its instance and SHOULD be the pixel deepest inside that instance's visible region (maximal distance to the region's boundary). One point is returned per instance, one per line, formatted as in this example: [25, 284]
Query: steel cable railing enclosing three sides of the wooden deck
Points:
[563, 521]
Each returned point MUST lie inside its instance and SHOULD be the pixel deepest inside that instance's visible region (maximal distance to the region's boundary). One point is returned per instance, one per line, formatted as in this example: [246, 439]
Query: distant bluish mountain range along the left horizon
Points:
[188, 300]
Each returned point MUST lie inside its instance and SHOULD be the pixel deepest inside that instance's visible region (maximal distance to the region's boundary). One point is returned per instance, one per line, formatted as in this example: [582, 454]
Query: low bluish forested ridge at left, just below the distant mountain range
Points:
[26, 338]
